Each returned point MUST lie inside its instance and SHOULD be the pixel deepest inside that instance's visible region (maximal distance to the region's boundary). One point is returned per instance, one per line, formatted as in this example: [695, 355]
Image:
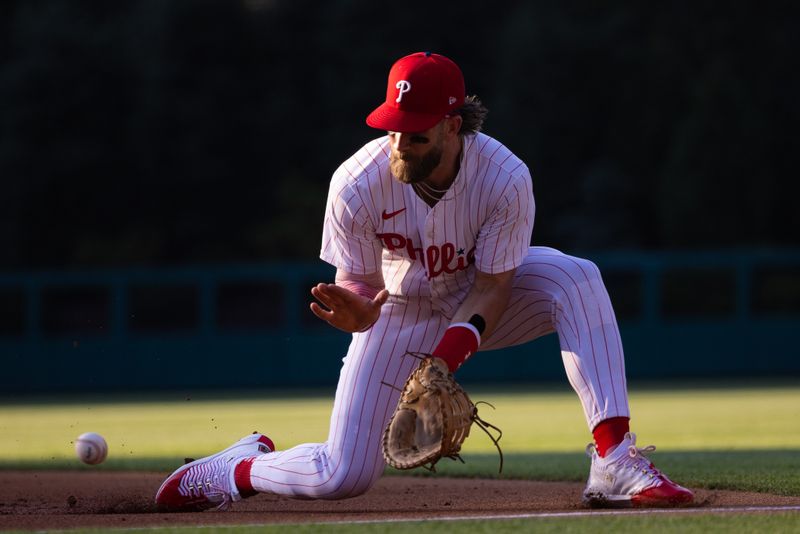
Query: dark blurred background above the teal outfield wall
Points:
[154, 132]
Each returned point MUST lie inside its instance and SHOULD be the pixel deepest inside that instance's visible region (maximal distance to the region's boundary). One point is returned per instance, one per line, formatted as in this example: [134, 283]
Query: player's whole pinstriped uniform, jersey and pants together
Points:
[374, 223]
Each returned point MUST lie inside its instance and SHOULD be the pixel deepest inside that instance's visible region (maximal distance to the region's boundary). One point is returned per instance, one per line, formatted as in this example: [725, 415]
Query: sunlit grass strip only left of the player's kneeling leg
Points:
[146, 430]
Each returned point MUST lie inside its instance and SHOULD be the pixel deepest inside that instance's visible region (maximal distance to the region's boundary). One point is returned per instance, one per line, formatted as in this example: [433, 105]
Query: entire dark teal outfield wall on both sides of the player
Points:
[682, 315]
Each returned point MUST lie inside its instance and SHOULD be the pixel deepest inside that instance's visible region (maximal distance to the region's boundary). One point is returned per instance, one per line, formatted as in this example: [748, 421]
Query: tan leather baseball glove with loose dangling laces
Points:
[432, 419]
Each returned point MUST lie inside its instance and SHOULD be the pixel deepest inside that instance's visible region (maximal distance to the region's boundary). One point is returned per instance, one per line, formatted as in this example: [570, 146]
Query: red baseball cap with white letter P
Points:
[422, 89]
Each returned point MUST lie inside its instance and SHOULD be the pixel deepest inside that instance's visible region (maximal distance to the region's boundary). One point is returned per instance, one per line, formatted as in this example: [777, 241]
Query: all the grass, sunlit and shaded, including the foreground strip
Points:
[745, 438]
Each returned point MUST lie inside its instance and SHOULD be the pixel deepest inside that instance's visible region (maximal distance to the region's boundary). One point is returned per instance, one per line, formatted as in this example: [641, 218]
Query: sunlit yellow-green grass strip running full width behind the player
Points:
[138, 428]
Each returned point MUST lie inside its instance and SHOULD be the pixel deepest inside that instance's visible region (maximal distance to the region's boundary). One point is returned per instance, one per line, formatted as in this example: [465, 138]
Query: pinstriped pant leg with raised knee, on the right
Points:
[556, 292]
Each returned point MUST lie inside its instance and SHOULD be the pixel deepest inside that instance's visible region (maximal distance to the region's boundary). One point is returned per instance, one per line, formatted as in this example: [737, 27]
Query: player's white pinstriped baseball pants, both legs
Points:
[551, 292]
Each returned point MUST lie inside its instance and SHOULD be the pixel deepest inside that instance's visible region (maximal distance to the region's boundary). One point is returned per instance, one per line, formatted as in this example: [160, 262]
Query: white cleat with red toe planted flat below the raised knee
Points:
[625, 477]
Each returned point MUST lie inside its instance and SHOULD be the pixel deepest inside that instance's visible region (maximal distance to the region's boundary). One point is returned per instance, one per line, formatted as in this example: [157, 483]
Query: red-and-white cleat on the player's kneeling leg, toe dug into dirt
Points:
[209, 482]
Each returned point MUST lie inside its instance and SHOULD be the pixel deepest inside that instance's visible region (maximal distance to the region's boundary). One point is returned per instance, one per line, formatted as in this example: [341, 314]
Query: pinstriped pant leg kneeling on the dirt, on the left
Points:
[351, 460]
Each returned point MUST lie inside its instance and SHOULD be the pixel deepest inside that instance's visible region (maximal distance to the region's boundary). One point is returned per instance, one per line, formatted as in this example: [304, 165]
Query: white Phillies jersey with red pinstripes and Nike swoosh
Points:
[485, 219]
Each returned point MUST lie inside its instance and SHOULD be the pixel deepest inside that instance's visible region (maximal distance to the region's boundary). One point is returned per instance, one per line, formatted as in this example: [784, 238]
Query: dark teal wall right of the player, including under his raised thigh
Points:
[685, 315]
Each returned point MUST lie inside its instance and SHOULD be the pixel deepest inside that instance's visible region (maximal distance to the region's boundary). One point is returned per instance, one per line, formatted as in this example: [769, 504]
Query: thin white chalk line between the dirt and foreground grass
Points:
[584, 513]
